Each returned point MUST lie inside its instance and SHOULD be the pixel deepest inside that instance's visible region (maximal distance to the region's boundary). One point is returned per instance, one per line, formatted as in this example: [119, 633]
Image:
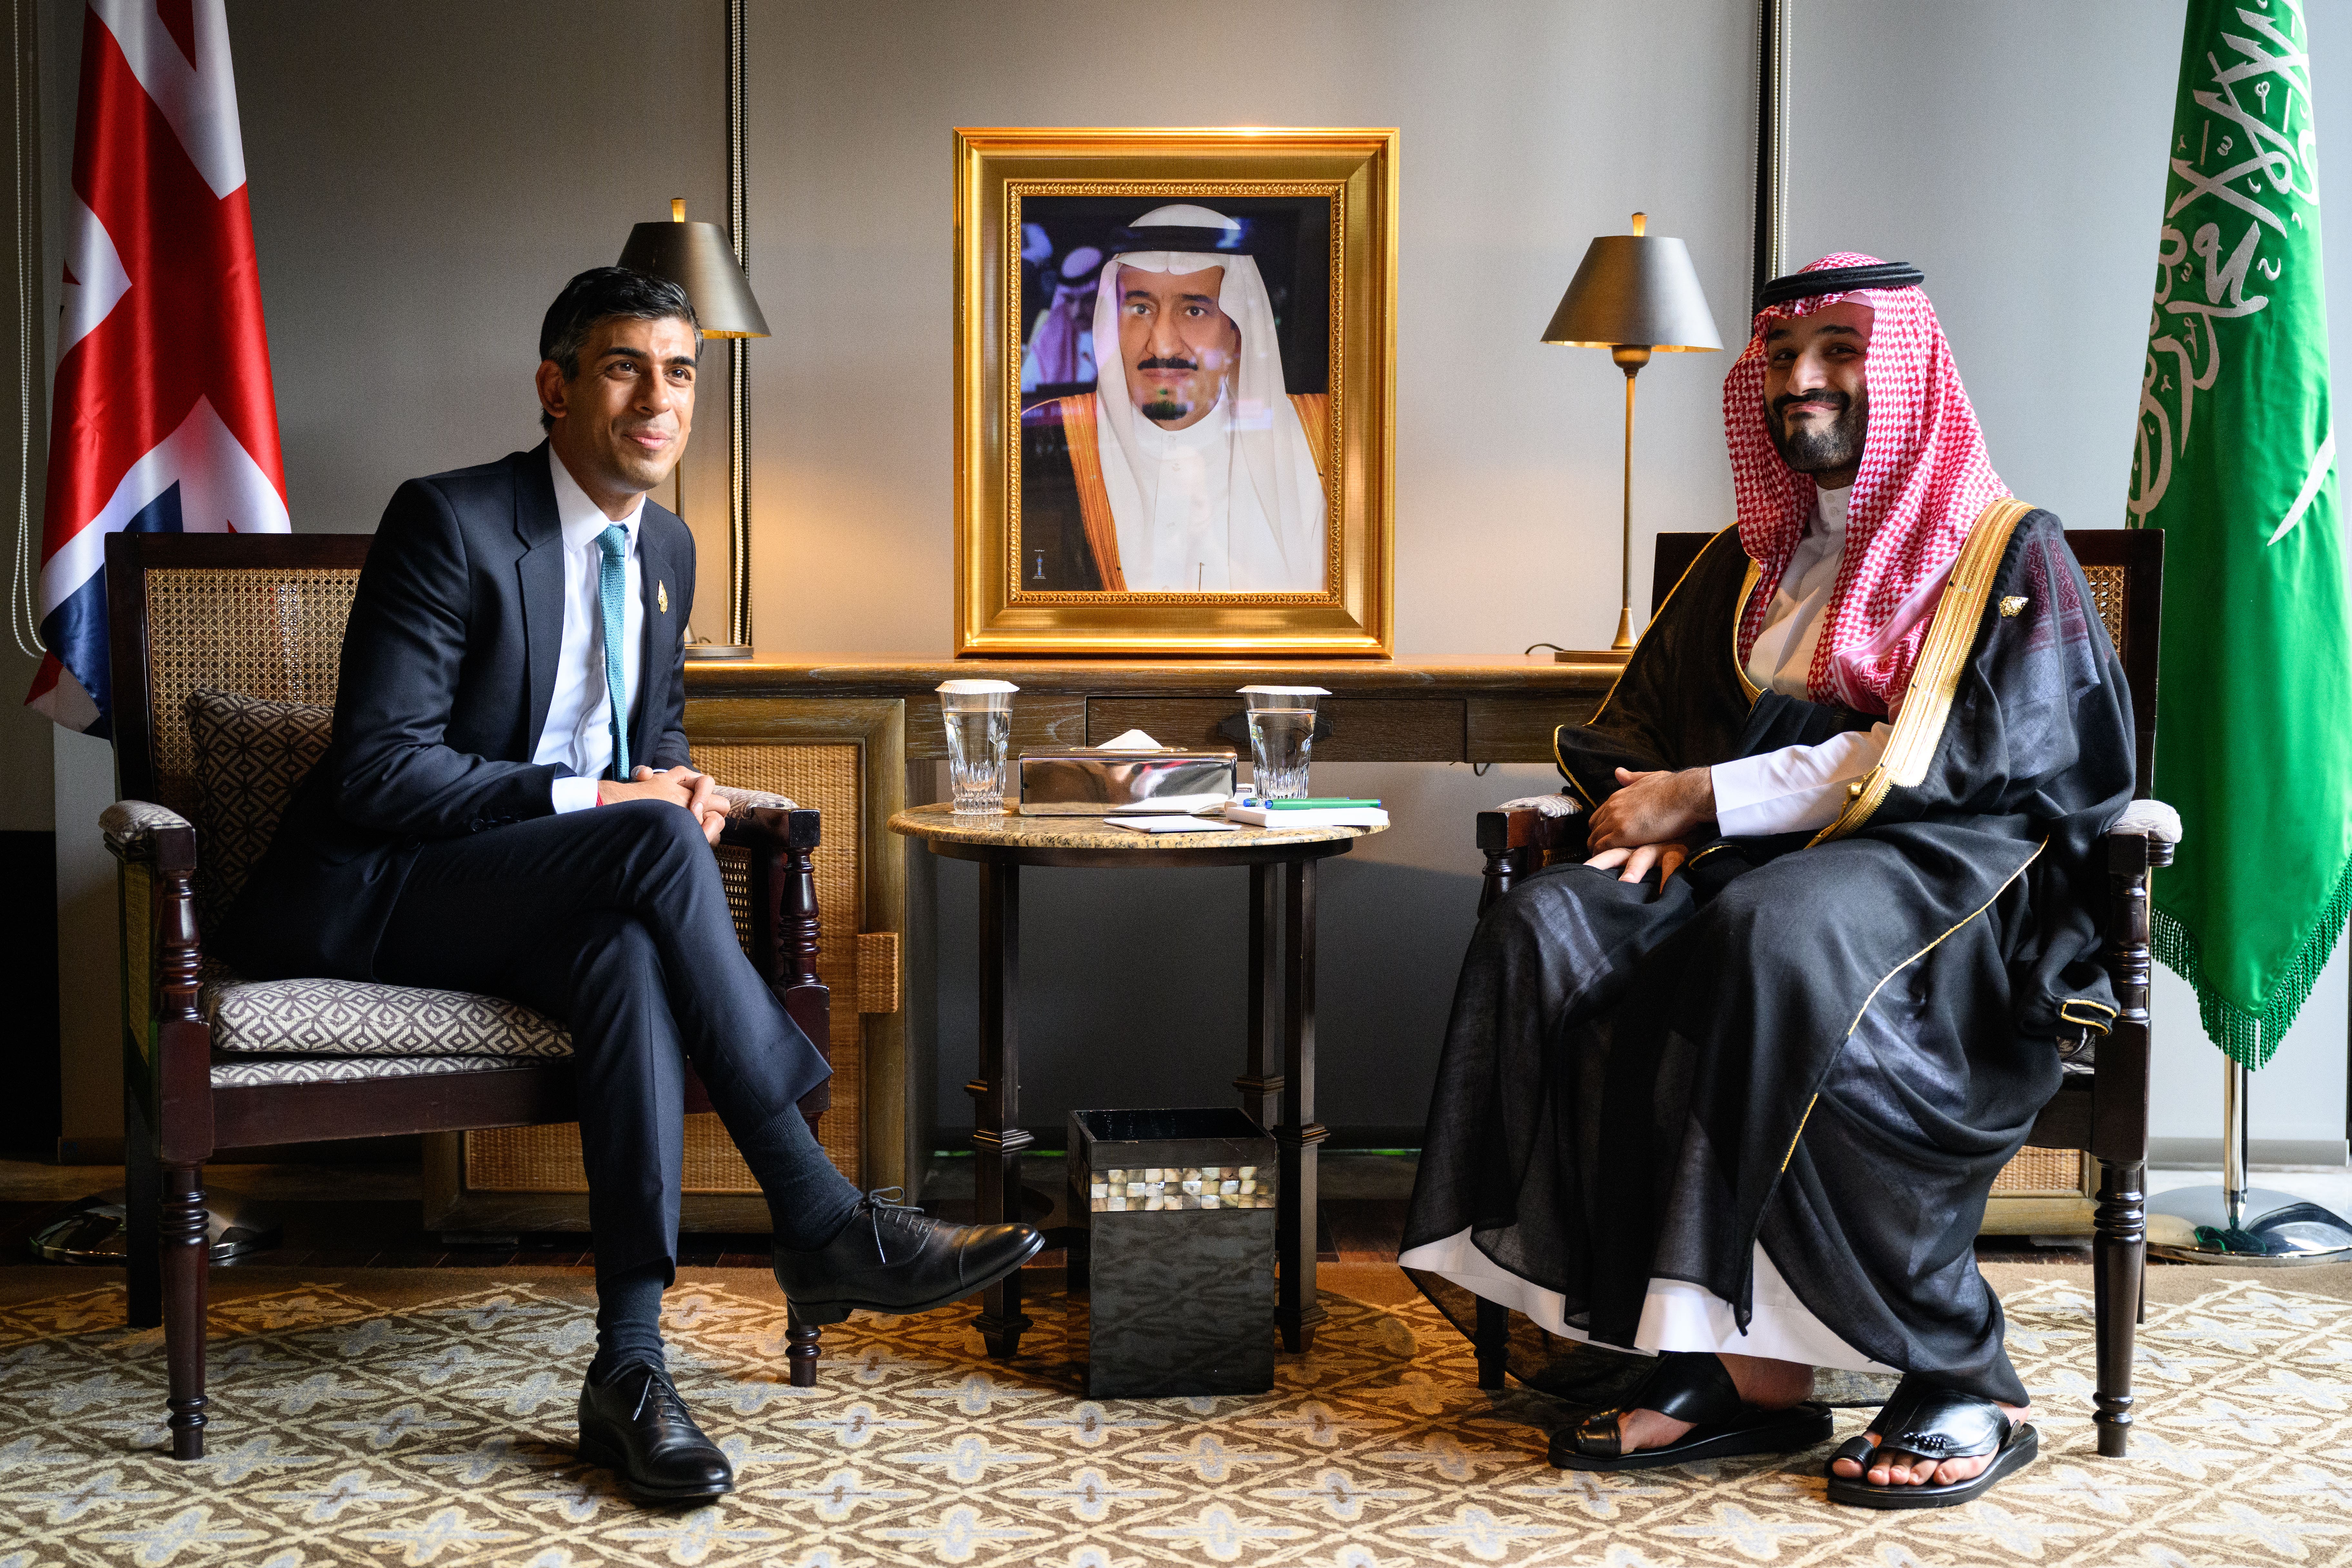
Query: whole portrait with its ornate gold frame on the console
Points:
[1175, 391]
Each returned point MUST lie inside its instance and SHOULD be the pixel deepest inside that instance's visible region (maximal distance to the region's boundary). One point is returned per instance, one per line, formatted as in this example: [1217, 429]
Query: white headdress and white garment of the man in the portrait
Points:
[1276, 516]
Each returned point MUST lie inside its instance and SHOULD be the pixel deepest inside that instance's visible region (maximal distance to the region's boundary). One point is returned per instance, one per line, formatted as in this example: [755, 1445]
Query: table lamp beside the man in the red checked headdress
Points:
[1633, 295]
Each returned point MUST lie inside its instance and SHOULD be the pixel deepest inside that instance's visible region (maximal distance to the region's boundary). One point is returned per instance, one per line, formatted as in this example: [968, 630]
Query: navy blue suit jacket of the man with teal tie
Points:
[446, 685]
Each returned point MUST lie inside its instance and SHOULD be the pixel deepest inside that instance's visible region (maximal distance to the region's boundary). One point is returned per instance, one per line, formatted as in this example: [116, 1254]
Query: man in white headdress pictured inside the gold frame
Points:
[1189, 467]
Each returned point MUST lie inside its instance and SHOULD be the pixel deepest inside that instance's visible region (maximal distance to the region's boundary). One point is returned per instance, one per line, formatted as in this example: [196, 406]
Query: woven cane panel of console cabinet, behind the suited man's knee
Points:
[827, 779]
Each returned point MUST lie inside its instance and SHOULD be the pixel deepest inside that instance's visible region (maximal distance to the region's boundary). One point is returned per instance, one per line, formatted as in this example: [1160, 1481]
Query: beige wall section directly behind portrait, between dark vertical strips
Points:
[1528, 130]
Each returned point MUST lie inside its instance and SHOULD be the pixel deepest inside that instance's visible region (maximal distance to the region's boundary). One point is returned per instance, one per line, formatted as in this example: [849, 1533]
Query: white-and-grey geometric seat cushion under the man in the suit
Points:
[354, 1019]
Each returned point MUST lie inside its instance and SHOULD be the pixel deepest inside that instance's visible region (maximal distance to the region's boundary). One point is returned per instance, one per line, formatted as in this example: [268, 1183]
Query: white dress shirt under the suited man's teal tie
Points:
[580, 716]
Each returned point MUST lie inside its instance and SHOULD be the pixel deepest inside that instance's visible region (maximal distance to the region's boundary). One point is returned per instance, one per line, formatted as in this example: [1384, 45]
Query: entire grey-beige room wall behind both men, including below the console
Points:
[427, 175]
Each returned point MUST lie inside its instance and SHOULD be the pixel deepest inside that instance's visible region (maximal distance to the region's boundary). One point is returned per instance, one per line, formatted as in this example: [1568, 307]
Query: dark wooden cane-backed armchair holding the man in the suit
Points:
[215, 1064]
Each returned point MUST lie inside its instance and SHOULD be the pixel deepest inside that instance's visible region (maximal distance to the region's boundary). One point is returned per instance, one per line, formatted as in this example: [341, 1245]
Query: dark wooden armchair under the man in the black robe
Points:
[2102, 1106]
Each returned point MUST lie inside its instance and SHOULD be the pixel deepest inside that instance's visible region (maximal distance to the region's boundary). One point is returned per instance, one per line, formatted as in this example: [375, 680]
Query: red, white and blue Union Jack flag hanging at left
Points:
[163, 417]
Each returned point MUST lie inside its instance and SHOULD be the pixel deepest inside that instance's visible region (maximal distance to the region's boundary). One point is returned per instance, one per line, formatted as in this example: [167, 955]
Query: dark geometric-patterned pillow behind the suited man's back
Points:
[250, 758]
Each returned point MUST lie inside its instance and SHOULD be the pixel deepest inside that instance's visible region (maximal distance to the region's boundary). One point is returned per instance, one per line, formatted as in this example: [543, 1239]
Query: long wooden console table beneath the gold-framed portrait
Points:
[1452, 709]
